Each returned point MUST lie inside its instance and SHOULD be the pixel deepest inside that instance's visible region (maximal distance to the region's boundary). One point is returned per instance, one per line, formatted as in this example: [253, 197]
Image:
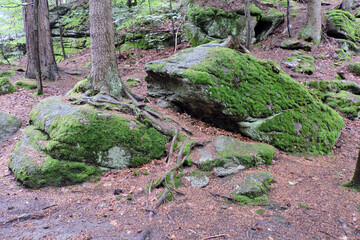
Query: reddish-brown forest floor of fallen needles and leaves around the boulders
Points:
[307, 199]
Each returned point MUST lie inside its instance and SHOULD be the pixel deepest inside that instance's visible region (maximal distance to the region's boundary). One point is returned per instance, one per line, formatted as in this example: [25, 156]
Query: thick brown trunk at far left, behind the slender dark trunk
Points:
[47, 60]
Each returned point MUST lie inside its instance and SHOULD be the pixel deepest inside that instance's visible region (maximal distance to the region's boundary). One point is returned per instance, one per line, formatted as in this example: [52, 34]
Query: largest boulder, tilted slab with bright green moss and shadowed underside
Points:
[241, 93]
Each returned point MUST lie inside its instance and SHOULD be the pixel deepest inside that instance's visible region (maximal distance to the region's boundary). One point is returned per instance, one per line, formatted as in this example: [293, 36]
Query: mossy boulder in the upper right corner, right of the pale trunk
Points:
[342, 24]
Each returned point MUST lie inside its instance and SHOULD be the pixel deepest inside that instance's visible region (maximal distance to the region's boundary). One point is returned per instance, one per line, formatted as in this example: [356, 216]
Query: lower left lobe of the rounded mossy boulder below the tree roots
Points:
[33, 168]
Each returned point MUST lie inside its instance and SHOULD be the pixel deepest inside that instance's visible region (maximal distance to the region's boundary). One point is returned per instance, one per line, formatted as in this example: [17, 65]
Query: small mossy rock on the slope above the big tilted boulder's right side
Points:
[301, 62]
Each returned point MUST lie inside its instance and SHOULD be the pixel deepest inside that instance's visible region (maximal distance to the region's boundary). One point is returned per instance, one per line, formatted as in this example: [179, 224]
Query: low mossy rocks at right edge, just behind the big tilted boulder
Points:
[340, 95]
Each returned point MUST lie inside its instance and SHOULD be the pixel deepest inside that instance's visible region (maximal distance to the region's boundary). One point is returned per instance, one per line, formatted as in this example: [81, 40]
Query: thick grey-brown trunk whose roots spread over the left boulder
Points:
[104, 72]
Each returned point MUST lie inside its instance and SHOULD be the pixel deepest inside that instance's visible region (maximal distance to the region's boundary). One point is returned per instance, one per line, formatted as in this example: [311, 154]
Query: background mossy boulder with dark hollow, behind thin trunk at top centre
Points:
[209, 24]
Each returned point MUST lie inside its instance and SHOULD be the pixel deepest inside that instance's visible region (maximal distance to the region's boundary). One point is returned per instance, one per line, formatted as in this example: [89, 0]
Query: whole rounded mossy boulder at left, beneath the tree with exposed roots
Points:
[68, 135]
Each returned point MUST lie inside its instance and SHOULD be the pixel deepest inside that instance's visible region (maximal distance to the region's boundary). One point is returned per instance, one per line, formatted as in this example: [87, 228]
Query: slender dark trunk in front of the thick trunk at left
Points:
[36, 48]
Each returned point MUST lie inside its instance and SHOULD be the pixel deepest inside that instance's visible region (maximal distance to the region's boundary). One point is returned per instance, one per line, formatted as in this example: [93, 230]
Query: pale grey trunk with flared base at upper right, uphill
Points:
[312, 29]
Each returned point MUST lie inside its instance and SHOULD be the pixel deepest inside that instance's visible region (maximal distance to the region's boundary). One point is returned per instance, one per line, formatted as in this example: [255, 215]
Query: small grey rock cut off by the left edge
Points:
[9, 124]
